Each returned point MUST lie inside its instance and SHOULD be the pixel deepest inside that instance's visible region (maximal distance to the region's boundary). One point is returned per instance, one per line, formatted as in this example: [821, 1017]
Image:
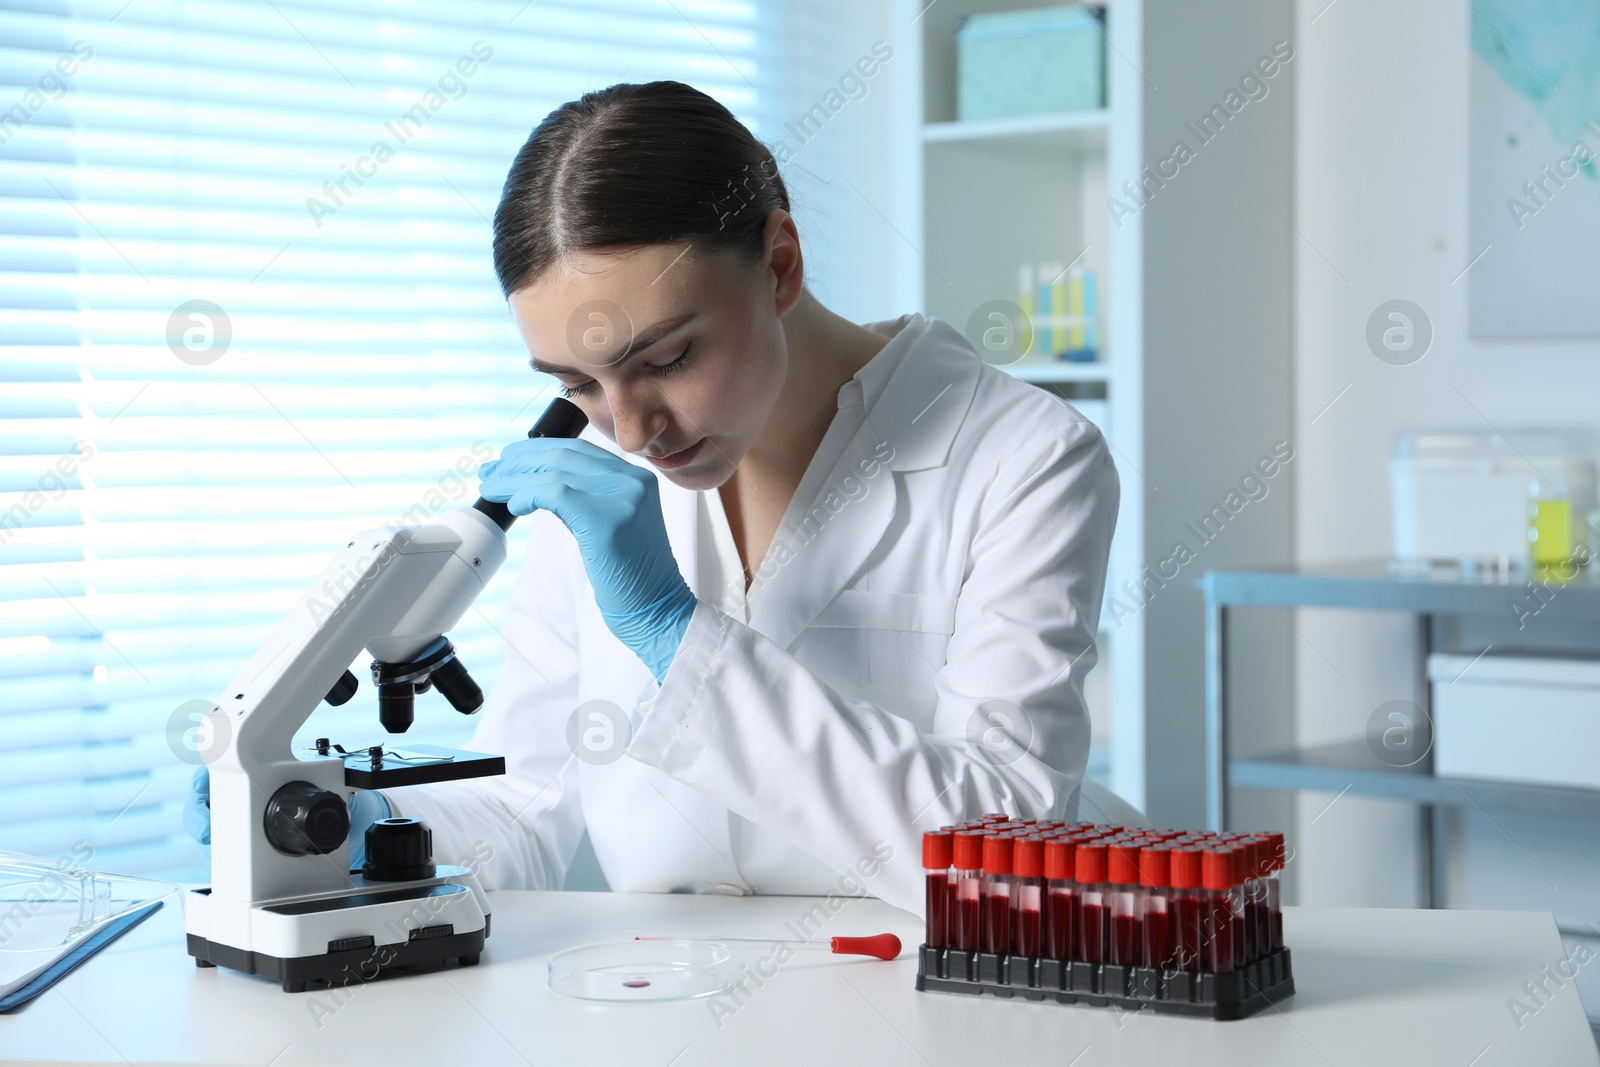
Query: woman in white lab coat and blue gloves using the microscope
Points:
[804, 589]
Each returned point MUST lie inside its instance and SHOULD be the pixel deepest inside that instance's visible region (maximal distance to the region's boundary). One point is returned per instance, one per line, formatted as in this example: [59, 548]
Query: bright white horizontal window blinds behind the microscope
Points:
[249, 310]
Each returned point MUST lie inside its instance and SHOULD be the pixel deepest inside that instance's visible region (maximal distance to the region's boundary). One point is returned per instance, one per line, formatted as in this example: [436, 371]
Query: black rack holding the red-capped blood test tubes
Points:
[1233, 996]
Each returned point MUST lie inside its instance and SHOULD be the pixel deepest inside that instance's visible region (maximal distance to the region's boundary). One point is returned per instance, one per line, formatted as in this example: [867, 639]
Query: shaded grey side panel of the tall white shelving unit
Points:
[1217, 390]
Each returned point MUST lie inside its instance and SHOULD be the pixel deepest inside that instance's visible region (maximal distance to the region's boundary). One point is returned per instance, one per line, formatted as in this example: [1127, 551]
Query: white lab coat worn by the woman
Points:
[948, 586]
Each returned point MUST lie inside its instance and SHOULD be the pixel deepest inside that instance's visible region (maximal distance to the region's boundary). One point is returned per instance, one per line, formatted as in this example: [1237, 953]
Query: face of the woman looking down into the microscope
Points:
[676, 354]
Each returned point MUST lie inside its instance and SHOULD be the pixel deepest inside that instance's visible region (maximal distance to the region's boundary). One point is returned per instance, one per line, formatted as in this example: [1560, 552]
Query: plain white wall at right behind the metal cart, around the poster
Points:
[1382, 201]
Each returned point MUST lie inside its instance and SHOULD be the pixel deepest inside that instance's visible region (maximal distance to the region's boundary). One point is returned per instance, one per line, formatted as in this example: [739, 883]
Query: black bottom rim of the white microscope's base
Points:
[348, 967]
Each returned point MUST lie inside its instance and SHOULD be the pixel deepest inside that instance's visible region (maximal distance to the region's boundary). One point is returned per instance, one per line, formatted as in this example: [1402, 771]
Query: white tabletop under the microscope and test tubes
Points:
[1375, 988]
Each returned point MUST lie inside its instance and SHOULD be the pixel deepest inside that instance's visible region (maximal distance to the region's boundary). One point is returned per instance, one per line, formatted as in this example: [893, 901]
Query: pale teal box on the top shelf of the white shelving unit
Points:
[1036, 62]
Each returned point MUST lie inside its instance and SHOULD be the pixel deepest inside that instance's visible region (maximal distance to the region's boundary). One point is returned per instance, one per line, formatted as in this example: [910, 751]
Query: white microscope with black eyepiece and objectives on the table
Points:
[284, 901]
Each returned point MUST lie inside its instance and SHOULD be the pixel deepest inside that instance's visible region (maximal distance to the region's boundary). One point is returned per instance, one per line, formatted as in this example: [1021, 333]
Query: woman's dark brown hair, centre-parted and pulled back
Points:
[634, 164]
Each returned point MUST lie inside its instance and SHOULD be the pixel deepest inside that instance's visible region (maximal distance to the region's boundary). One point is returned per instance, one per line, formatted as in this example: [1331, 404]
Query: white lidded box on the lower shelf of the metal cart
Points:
[1518, 719]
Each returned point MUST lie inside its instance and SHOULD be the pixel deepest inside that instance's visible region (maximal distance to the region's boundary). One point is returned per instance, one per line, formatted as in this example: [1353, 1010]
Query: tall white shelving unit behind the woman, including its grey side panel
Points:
[991, 194]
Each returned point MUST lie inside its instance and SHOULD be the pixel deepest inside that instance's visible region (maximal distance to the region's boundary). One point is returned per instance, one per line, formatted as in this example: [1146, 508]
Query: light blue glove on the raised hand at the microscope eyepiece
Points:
[614, 508]
